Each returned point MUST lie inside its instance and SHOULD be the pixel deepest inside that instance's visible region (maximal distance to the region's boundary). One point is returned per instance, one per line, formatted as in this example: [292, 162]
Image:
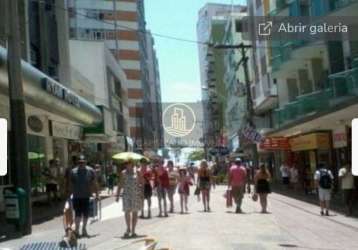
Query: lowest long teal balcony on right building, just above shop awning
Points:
[342, 89]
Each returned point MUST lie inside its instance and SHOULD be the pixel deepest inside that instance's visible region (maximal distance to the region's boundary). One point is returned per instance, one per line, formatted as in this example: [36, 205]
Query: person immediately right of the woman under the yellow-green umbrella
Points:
[146, 174]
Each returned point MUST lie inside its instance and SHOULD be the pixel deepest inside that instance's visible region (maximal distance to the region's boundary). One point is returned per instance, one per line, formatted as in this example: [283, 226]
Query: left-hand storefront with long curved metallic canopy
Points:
[54, 116]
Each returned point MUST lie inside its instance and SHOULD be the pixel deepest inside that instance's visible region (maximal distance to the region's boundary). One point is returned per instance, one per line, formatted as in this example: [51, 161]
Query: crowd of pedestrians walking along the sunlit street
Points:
[139, 181]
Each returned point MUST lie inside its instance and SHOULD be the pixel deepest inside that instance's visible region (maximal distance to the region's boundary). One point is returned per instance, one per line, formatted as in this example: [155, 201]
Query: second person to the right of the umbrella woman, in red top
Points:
[162, 186]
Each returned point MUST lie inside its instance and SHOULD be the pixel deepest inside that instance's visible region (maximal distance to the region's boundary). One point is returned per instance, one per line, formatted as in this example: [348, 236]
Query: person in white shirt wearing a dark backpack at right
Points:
[324, 182]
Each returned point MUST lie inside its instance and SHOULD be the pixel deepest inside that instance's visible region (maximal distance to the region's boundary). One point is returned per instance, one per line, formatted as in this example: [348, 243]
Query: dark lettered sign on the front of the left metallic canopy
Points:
[60, 92]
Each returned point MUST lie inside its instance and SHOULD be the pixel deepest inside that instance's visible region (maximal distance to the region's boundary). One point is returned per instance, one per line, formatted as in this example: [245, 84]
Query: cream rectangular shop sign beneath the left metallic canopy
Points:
[66, 131]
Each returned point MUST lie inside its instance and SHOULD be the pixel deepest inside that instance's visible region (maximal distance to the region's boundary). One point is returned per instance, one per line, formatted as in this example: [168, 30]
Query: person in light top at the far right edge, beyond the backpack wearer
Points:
[347, 184]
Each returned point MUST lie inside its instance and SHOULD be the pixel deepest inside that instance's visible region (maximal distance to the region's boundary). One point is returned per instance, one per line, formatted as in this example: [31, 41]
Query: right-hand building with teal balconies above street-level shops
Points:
[317, 91]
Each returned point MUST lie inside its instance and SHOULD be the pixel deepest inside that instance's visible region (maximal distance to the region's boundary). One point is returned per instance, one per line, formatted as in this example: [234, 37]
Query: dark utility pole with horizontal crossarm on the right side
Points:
[250, 106]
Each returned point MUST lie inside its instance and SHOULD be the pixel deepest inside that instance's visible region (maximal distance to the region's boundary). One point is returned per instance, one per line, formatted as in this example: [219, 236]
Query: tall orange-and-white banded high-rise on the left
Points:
[120, 24]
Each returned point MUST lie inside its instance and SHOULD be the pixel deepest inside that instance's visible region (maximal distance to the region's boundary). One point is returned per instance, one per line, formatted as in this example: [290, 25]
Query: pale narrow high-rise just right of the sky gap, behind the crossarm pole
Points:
[211, 15]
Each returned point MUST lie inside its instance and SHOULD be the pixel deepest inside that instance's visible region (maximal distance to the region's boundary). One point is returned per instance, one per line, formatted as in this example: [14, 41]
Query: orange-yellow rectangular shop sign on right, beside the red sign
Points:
[310, 141]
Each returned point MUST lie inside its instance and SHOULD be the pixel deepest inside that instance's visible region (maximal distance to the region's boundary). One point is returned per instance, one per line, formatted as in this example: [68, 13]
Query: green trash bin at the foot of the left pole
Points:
[15, 200]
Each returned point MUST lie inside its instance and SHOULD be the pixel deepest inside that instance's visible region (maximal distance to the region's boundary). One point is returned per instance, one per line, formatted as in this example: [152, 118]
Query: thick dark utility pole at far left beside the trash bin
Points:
[19, 158]
